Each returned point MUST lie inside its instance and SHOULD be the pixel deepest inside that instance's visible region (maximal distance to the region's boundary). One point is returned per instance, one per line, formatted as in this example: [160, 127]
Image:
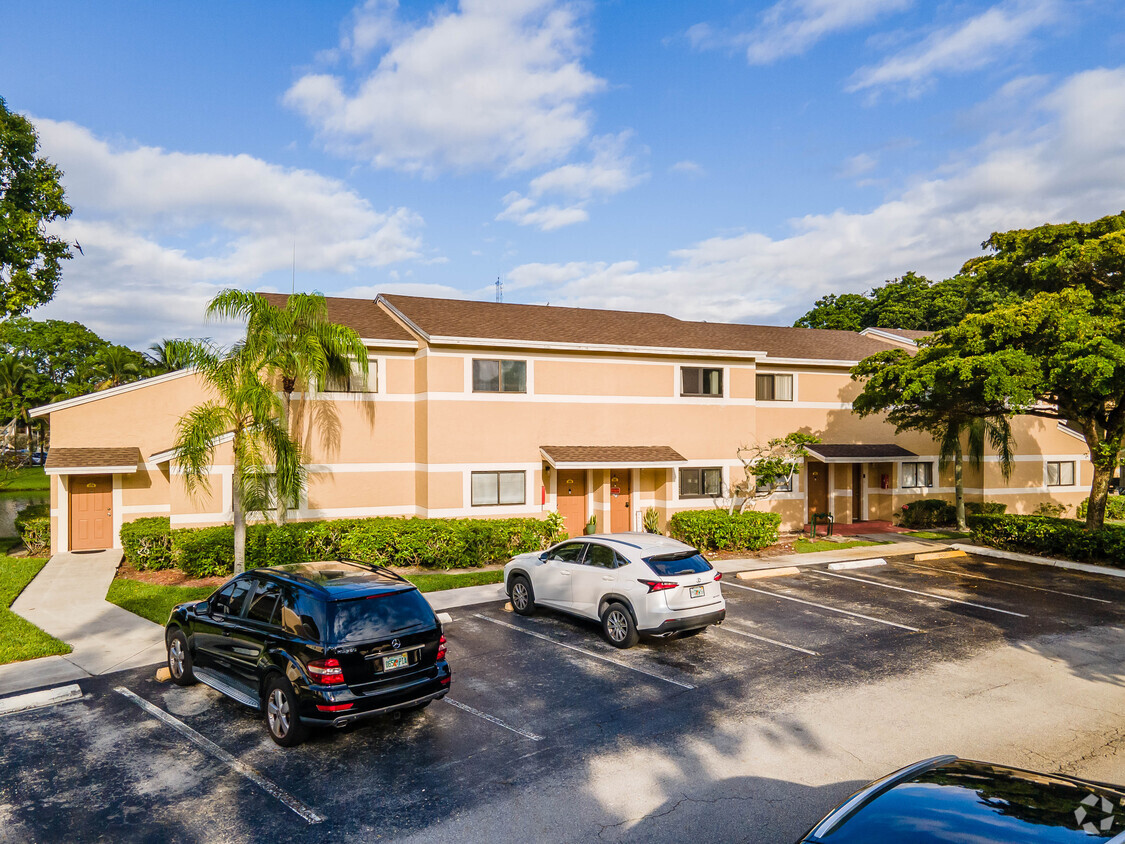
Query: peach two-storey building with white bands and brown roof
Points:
[487, 410]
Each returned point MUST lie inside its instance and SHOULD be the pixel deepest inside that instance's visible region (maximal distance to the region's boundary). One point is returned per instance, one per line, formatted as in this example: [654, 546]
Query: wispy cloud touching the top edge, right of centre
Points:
[791, 28]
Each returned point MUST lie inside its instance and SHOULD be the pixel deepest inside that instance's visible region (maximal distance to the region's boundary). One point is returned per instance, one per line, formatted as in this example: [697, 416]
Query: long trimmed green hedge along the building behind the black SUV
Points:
[391, 542]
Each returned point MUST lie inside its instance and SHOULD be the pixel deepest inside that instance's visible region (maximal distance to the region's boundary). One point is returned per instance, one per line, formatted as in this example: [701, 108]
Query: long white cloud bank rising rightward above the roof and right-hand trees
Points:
[1072, 167]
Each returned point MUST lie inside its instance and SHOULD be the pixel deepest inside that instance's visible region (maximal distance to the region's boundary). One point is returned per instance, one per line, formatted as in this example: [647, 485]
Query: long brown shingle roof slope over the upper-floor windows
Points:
[546, 324]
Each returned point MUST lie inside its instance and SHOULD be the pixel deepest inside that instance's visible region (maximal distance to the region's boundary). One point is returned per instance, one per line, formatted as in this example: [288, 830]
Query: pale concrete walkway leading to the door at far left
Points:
[68, 600]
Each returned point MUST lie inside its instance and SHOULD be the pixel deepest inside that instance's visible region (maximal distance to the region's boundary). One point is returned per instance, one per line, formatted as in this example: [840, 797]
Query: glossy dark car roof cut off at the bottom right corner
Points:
[964, 801]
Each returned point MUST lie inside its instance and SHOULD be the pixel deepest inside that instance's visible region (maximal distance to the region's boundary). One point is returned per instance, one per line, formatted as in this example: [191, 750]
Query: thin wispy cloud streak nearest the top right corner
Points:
[967, 47]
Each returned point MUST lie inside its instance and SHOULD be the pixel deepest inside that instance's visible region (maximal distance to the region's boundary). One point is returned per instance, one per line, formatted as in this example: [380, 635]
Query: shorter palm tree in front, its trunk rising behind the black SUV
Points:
[267, 460]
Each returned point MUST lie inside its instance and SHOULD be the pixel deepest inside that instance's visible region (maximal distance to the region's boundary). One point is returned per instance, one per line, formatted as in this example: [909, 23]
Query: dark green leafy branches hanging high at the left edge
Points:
[31, 196]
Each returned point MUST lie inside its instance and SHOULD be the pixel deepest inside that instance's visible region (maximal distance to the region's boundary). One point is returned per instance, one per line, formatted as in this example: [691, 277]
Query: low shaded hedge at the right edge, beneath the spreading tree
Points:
[1066, 538]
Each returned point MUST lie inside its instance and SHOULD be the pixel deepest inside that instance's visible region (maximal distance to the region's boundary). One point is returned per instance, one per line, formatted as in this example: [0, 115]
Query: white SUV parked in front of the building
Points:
[633, 583]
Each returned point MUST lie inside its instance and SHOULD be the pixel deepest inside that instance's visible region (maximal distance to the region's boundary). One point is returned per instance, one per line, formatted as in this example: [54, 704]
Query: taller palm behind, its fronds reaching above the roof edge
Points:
[298, 345]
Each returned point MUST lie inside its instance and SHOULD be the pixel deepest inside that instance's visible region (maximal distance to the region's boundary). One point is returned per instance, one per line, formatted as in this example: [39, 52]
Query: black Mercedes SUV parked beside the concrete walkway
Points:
[312, 644]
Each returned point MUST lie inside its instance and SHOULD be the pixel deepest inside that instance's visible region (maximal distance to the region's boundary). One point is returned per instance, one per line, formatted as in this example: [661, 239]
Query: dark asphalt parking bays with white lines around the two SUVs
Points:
[138, 760]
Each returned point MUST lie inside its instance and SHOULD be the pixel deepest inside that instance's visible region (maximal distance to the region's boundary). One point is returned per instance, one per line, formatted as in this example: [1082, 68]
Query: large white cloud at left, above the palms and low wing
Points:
[163, 231]
